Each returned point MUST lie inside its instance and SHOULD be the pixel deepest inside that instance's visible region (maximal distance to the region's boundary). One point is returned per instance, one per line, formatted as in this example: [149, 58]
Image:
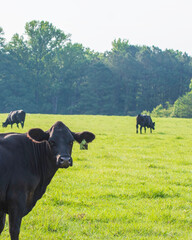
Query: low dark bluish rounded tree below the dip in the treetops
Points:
[97, 90]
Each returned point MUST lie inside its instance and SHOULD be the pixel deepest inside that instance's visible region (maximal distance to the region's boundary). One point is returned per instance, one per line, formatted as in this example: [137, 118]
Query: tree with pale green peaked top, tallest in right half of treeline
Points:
[124, 66]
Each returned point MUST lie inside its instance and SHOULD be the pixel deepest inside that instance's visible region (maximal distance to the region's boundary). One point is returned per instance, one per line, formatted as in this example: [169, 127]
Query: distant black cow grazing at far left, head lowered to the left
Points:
[17, 117]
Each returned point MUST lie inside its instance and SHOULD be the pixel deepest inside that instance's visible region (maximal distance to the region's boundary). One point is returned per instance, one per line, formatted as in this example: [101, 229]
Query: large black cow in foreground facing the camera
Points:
[28, 162]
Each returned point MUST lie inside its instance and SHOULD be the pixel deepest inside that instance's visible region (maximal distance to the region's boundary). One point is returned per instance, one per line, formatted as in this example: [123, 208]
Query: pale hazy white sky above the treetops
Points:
[96, 23]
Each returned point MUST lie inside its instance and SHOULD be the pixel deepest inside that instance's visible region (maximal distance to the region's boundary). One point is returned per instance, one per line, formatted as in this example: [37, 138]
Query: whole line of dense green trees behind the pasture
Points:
[42, 71]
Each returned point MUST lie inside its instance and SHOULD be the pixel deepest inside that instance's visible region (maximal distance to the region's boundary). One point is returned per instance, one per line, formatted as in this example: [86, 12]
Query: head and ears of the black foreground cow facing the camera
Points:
[60, 140]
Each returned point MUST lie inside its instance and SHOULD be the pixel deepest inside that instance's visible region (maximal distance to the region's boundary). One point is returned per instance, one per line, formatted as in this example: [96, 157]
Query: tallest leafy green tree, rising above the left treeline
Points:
[44, 41]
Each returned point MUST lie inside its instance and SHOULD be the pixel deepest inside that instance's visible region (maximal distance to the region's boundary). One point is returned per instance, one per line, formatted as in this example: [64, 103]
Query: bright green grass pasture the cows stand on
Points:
[126, 186]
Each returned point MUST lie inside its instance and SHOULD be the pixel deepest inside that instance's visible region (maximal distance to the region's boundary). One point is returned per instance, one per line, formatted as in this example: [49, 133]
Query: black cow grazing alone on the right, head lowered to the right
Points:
[144, 121]
